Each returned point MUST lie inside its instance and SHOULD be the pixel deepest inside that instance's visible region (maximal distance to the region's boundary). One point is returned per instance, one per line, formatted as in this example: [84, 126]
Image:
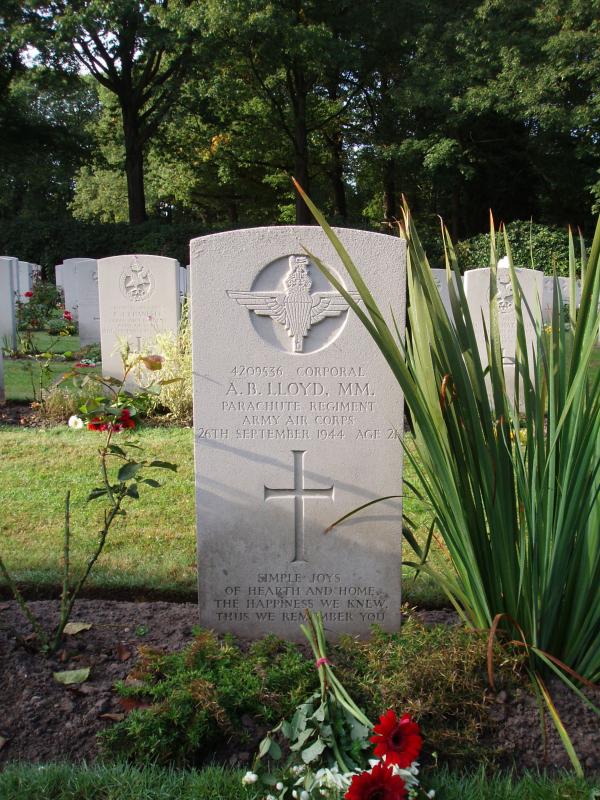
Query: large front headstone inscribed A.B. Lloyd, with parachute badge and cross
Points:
[296, 420]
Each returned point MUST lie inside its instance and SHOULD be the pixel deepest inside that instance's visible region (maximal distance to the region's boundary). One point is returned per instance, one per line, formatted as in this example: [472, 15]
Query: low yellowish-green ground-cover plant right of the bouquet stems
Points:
[436, 674]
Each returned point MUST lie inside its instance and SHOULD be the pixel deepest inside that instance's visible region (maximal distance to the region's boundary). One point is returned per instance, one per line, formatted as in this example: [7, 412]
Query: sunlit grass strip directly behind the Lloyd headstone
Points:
[153, 547]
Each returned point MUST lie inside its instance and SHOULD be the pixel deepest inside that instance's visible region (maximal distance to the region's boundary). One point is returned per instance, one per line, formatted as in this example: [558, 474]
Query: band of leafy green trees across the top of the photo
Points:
[116, 110]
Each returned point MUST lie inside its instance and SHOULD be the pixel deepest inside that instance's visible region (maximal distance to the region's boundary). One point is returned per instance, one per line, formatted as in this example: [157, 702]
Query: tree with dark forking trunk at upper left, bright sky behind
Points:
[132, 51]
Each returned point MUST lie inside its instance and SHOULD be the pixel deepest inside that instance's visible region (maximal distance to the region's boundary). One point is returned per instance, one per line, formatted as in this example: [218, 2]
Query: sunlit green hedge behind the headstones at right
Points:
[542, 247]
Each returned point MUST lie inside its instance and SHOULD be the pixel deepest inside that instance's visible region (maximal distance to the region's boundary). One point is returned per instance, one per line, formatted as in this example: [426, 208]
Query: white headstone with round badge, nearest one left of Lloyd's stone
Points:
[139, 297]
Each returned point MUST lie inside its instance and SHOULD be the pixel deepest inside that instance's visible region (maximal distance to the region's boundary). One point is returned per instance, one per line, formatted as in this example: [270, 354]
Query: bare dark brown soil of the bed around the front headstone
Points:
[42, 720]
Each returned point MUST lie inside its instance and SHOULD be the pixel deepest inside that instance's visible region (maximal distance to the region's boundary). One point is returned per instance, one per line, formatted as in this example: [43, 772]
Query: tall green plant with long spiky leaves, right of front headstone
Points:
[516, 500]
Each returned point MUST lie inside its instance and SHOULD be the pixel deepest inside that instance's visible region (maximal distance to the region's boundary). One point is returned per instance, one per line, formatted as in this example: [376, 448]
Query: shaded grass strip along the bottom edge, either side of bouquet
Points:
[65, 782]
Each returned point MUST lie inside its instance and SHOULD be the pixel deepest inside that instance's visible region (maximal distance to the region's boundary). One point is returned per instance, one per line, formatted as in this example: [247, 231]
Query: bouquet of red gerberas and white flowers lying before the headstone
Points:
[322, 751]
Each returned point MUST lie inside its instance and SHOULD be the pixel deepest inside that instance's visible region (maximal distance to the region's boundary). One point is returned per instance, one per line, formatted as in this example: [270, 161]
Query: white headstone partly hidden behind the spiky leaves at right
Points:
[477, 291]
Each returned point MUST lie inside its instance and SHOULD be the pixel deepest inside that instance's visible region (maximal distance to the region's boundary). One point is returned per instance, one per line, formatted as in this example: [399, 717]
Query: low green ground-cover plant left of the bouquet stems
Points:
[199, 696]
